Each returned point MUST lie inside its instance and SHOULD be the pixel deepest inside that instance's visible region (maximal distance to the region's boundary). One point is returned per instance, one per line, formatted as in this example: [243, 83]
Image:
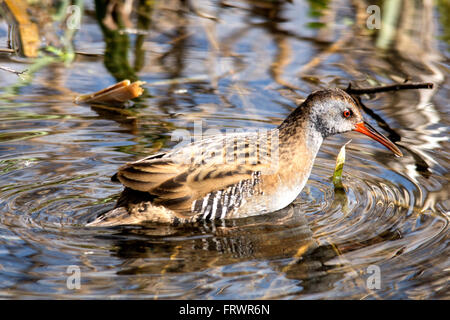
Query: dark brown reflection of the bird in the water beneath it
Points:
[284, 238]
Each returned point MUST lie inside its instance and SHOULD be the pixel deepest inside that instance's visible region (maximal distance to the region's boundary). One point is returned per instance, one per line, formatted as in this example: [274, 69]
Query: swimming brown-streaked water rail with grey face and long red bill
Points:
[234, 175]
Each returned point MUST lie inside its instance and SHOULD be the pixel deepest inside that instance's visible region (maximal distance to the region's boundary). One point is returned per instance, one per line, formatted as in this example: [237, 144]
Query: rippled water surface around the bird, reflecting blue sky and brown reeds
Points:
[231, 64]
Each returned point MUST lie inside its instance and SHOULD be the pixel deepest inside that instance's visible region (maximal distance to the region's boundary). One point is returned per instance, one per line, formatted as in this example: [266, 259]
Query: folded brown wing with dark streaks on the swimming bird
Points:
[176, 181]
